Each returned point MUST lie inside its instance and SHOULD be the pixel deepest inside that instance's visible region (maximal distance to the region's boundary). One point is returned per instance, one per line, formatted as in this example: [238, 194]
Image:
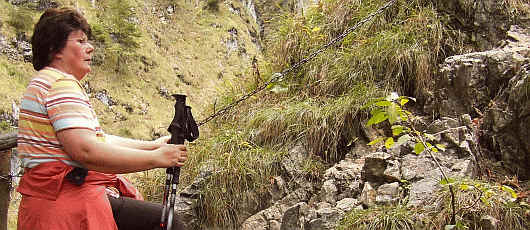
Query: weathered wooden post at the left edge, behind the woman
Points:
[7, 142]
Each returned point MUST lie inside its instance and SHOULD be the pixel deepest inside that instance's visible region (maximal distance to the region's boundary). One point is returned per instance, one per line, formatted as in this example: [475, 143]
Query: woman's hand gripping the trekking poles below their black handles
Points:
[172, 155]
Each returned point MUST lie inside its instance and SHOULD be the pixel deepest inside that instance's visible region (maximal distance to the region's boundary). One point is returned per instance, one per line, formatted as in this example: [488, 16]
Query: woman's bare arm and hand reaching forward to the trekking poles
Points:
[82, 145]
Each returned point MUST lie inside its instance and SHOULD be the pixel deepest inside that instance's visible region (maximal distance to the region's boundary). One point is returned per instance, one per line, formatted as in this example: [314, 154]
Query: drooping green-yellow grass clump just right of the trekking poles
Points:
[241, 176]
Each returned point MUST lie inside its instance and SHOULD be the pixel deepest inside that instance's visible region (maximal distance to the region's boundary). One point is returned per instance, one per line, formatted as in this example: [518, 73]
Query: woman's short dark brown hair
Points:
[51, 32]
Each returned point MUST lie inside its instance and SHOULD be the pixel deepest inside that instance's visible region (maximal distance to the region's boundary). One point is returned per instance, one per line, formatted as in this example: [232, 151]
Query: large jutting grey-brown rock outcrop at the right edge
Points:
[493, 87]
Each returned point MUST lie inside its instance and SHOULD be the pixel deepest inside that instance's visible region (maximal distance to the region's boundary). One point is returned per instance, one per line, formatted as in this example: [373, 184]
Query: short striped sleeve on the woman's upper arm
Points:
[69, 107]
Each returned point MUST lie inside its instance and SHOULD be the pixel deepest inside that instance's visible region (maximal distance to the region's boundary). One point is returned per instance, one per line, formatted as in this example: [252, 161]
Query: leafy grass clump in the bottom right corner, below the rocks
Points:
[477, 200]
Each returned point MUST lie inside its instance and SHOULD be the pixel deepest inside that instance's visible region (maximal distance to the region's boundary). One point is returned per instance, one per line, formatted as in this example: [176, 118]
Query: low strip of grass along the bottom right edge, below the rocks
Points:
[476, 201]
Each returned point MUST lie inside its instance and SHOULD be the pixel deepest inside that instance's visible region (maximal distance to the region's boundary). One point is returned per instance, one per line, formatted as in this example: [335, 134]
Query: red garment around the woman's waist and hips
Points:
[49, 201]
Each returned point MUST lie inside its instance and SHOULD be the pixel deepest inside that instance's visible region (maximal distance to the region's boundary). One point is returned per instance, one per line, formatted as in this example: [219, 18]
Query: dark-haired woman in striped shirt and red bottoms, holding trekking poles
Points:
[70, 164]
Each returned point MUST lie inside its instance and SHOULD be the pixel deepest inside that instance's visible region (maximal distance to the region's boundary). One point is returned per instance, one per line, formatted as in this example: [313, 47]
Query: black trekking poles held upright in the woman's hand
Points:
[182, 127]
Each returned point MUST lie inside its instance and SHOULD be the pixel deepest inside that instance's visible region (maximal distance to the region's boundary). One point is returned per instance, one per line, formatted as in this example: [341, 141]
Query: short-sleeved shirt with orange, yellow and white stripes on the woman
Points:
[53, 101]
